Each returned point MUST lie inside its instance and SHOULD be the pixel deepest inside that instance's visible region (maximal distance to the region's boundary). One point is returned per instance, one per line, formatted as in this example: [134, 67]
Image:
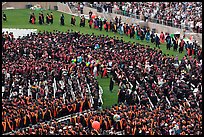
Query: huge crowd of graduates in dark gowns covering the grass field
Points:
[49, 75]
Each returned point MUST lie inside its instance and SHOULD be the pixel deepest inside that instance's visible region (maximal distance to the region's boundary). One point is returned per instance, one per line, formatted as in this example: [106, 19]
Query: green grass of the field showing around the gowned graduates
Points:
[19, 18]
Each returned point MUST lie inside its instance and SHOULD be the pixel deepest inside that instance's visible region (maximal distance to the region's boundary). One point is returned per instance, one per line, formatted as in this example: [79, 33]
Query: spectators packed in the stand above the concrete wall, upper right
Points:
[168, 13]
